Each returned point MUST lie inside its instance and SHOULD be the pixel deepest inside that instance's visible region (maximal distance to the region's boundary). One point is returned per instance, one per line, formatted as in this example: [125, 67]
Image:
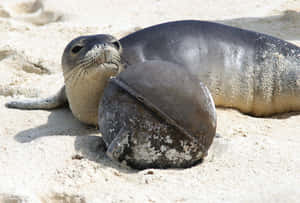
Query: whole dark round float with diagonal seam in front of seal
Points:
[151, 120]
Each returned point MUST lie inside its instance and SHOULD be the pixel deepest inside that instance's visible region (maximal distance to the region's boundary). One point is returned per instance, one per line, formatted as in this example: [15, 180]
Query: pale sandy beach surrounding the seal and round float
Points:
[48, 156]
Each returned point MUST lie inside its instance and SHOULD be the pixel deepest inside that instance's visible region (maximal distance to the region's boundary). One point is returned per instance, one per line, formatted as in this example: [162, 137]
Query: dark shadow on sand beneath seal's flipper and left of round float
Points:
[88, 142]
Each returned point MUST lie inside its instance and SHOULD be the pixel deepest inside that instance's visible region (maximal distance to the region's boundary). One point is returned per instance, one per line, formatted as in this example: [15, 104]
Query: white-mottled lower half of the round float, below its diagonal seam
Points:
[152, 142]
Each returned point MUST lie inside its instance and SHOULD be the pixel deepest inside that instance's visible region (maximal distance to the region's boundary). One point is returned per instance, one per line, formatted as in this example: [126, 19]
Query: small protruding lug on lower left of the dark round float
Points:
[117, 147]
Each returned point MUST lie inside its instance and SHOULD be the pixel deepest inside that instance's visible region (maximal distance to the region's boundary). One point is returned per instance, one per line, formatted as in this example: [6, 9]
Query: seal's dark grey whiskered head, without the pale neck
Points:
[94, 51]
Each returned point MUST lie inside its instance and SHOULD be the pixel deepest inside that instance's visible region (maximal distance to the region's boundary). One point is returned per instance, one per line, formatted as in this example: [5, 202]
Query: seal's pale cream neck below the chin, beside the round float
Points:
[85, 93]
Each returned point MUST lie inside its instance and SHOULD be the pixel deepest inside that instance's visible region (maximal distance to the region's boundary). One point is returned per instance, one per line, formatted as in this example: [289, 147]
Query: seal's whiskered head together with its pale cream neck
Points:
[88, 62]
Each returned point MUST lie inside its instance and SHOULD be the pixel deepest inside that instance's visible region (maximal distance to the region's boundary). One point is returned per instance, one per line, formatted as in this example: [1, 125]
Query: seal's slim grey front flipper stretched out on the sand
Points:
[52, 102]
